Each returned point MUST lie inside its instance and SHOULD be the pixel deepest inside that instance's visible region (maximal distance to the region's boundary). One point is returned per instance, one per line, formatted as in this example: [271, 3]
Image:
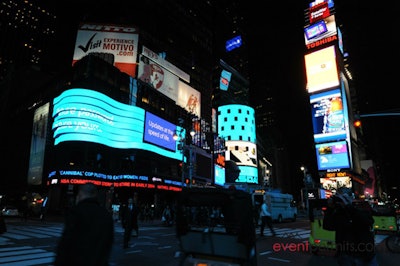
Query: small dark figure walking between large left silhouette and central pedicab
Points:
[129, 221]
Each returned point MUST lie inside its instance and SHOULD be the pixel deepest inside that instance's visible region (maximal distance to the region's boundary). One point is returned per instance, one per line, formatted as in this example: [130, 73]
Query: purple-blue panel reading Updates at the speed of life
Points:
[159, 132]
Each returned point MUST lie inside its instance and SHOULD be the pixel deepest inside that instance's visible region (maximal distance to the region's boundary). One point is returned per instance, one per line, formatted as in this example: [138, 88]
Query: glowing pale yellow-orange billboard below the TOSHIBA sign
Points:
[321, 69]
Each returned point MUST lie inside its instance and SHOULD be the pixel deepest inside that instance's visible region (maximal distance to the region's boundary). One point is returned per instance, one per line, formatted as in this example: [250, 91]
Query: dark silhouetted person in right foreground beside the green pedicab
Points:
[354, 236]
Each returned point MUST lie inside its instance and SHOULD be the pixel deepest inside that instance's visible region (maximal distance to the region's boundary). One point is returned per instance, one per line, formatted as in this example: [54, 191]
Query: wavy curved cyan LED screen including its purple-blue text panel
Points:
[87, 115]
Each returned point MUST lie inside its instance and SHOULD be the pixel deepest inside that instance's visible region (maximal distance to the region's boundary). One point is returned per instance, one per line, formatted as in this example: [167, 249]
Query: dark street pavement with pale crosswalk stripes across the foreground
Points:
[157, 241]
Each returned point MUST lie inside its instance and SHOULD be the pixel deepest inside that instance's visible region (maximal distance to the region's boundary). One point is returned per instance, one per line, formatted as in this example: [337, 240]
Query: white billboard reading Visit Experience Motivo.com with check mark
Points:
[117, 43]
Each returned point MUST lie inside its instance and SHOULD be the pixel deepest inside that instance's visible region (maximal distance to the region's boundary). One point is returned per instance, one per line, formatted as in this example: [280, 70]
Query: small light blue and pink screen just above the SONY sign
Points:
[332, 155]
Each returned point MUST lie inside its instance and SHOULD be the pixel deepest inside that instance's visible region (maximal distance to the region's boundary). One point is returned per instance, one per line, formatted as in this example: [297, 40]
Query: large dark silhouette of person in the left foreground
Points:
[88, 233]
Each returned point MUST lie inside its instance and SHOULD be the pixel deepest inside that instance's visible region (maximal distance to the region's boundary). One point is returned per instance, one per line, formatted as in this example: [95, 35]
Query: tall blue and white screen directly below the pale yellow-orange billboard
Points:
[328, 116]
